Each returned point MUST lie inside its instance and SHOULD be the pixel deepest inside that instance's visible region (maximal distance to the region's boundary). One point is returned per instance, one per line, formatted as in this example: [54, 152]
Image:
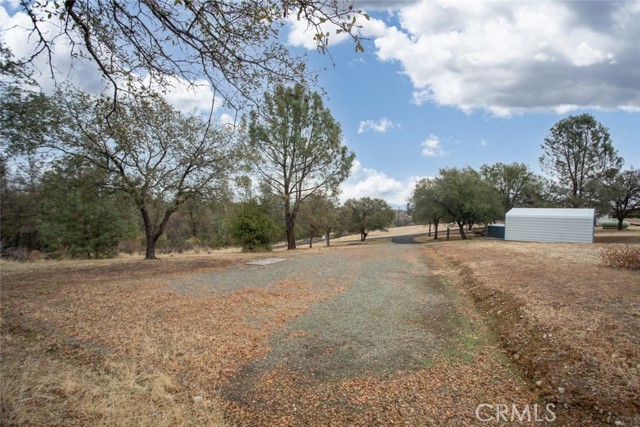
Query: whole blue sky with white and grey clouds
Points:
[450, 83]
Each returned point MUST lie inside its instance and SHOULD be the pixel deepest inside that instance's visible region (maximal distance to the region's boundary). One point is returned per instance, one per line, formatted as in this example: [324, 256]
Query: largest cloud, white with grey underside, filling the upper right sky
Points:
[515, 57]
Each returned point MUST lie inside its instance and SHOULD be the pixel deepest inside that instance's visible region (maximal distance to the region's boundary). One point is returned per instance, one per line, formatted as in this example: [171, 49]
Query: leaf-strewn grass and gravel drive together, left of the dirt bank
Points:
[359, 335]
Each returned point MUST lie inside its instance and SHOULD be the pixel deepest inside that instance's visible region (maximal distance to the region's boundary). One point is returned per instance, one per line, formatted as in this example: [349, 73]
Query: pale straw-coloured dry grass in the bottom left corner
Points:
[44, 383]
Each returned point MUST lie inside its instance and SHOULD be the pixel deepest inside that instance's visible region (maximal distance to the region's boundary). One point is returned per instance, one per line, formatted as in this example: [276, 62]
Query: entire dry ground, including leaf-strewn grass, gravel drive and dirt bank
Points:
[203, 339]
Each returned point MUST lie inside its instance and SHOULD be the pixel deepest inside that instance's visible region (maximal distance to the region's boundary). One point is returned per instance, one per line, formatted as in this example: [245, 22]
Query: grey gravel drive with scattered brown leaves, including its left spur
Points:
[392, 343]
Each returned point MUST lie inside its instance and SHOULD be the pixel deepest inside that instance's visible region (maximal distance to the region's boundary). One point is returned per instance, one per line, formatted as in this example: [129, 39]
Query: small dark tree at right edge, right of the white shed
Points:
[623, 193]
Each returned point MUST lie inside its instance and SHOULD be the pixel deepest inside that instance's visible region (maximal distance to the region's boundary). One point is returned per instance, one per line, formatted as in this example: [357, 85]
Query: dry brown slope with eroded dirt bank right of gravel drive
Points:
[570, 323]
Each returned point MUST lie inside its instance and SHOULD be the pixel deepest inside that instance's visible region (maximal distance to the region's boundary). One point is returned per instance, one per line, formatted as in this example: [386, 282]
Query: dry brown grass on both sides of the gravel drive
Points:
[105, 343]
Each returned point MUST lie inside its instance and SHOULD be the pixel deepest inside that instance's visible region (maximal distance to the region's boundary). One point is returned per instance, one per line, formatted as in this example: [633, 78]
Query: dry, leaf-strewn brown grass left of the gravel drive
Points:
[108, 343]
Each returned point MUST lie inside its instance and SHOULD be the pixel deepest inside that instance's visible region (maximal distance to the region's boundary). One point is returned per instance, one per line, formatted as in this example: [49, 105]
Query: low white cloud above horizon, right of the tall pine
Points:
[366, 182]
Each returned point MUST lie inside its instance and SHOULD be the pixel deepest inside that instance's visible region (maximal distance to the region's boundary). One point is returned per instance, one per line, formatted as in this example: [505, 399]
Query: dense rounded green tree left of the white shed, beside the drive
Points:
[466, 198]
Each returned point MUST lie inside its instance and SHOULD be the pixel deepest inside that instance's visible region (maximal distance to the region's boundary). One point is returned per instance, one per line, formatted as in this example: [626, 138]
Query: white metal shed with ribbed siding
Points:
[550, 225]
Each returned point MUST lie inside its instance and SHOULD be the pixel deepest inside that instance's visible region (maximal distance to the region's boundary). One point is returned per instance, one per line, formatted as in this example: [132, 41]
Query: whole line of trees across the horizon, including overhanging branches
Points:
[91, 175]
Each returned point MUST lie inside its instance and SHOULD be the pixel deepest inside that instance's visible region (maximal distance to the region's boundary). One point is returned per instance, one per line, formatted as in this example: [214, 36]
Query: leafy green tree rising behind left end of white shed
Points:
[517, 184]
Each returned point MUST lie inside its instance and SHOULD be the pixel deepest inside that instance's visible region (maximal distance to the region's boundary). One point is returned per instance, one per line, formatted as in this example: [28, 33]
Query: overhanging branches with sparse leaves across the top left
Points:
[234, 45]
